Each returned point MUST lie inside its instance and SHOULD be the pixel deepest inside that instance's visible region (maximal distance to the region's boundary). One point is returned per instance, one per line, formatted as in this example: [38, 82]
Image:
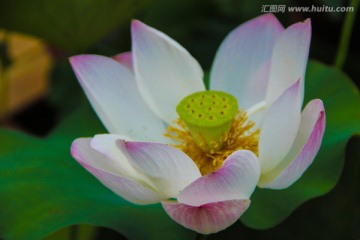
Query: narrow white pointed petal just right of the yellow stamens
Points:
[279, 127]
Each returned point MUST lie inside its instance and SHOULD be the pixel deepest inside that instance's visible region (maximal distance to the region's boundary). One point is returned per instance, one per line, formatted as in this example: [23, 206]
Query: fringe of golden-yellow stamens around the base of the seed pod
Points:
[240, 137]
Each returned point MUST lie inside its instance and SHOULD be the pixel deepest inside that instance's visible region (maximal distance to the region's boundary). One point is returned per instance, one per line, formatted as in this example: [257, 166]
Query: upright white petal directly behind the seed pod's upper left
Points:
[165, 71]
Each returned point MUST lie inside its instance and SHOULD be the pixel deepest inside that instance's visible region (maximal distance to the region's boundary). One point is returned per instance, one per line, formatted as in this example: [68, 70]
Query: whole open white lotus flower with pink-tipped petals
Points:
[201, 153]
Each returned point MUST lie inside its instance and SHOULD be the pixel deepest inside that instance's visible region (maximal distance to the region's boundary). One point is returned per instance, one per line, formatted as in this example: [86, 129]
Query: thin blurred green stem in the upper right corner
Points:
[346, 34]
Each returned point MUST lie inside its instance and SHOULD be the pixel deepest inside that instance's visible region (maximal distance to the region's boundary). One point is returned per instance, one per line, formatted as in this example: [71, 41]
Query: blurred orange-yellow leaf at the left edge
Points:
[25, 79]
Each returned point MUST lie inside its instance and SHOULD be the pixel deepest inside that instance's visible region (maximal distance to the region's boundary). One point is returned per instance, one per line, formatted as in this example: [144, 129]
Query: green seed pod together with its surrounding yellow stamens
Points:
[210, 128]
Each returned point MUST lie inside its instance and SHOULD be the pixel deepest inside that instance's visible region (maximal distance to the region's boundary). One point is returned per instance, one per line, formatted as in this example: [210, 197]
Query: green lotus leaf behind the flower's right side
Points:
[342, 103]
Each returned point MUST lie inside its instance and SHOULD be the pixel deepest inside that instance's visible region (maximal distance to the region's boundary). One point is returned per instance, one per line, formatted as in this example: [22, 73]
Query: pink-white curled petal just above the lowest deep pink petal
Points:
[236, 179]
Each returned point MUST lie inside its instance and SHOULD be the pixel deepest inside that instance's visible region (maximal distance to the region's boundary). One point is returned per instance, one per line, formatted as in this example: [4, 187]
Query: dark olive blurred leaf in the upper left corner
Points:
[71, 25]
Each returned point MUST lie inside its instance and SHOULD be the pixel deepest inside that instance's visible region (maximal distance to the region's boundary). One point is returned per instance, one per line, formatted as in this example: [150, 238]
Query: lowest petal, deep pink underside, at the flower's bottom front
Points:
[208, 218]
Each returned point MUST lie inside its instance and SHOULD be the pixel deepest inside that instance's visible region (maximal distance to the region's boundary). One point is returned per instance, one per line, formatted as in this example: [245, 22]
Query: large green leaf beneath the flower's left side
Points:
[43, 189]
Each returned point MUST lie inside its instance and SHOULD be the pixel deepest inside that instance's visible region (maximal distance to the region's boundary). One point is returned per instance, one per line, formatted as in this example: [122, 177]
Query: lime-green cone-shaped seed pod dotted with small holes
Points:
[208, 116]
